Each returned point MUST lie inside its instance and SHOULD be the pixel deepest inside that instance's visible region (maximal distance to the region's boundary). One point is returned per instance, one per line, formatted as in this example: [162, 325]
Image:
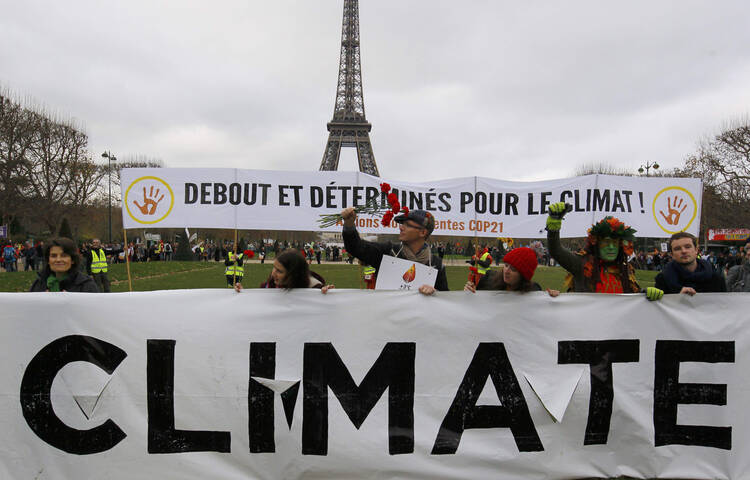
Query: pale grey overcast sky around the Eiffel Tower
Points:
[509, 90]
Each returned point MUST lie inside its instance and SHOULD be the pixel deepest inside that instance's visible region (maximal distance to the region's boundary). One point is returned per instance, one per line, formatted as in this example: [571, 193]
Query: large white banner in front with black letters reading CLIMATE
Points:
[273, 384]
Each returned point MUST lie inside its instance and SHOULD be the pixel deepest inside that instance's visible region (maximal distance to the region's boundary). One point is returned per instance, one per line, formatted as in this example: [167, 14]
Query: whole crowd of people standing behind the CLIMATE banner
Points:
[606, 264]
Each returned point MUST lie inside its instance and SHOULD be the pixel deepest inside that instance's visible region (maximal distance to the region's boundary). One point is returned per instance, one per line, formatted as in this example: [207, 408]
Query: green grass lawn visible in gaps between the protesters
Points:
[180, 275]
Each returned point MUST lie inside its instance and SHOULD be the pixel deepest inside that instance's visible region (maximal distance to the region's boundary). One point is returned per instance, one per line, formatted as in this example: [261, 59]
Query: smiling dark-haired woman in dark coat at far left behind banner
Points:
[61, 271]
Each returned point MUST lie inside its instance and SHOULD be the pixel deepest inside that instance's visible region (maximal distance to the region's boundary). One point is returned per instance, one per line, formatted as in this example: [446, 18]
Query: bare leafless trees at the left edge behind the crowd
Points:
[48, 177]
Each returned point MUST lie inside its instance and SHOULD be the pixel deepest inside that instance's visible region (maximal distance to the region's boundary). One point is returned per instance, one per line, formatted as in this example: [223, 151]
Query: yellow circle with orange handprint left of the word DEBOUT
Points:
[149, 200]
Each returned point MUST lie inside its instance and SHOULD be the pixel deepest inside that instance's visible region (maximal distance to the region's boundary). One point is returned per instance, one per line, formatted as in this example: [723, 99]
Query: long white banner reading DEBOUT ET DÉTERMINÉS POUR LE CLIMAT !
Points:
[280, 200]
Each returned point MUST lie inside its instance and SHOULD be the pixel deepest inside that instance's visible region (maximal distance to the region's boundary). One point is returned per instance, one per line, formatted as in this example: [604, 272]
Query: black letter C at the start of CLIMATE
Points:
[36, 385]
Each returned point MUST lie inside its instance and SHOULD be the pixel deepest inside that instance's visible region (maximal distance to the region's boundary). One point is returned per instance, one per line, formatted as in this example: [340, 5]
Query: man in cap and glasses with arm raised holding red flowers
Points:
[415, 227]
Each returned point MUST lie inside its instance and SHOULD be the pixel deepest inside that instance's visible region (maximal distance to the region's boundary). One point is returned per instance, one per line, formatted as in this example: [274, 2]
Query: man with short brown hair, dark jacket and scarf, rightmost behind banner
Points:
[687, 273]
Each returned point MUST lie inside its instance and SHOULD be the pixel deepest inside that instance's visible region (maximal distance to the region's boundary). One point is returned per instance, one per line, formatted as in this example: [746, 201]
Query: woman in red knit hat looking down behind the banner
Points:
[518, 268]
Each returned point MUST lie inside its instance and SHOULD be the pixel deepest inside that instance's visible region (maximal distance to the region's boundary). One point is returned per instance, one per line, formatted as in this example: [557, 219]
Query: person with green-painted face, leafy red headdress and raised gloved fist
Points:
[602, 266]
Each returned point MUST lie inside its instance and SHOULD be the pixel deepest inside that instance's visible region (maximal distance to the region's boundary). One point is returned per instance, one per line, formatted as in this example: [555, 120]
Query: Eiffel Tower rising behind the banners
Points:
[349, 127]
